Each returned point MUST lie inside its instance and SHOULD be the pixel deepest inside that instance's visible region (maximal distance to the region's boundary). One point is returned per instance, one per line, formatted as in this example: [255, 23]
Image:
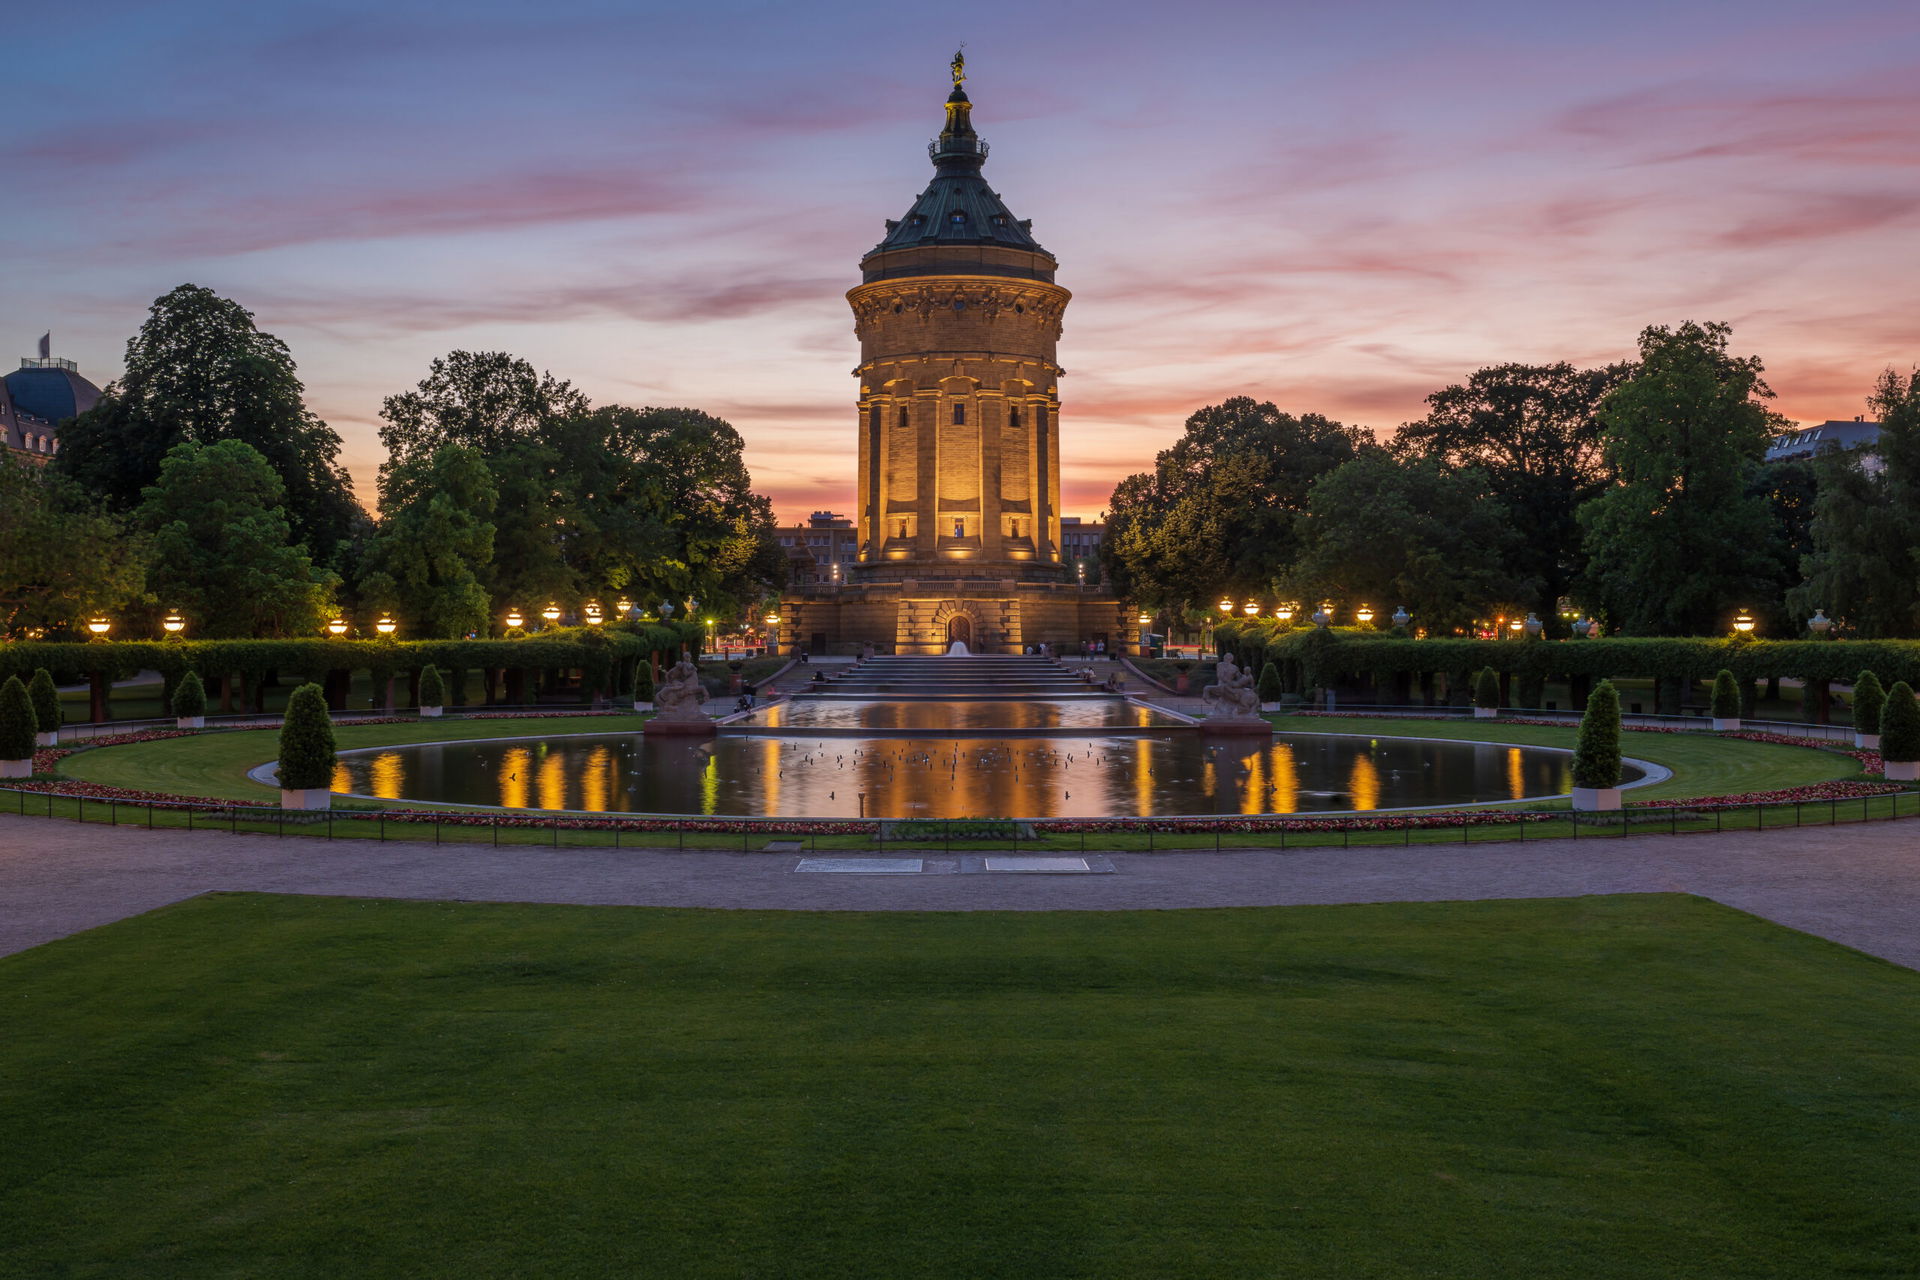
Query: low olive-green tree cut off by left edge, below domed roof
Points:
[60, 557]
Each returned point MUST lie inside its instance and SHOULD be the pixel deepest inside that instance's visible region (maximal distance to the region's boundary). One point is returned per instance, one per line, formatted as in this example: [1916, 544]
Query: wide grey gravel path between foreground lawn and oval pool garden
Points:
[1856, 886]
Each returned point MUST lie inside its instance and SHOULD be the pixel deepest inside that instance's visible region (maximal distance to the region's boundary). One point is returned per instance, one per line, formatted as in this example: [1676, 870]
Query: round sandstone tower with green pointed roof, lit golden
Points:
[959, 425]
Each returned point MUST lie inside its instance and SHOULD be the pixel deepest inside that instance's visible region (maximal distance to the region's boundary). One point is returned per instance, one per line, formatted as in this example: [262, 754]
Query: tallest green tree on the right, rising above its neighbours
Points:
[1679, 540]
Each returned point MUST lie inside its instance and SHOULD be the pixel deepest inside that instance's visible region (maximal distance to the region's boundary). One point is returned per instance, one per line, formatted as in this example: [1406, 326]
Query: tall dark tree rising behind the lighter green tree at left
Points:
[201, 371]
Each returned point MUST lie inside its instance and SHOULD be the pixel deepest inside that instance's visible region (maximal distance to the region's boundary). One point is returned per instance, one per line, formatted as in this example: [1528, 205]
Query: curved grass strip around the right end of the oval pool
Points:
[1704, 765]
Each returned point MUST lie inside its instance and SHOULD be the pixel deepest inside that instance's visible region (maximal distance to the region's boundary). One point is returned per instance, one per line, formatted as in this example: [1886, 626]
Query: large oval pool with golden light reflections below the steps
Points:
[1015, 776]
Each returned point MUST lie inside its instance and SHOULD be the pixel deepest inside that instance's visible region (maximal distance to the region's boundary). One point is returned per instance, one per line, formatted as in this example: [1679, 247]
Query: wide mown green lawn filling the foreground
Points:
[1648, 1087]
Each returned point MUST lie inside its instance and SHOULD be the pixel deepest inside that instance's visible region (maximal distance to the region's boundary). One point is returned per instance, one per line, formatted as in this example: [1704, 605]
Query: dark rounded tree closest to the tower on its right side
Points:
[1218, 511]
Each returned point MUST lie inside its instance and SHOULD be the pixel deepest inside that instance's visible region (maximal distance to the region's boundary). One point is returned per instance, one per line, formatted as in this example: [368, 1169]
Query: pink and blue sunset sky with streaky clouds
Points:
[1337, 208]
